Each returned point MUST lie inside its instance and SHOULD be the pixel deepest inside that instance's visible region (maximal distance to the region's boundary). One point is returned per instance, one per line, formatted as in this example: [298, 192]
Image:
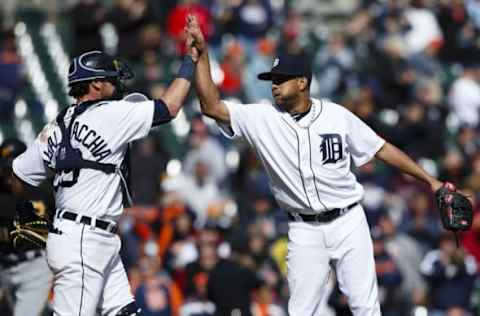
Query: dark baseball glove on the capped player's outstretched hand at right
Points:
[456, 211]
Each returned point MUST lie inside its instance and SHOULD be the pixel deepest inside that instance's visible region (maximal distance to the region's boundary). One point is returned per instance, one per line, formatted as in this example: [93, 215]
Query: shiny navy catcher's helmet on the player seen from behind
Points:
[97, 65]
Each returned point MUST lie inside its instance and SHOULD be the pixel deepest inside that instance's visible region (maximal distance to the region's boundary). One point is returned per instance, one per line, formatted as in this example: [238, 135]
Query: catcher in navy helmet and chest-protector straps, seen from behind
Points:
[85, 148]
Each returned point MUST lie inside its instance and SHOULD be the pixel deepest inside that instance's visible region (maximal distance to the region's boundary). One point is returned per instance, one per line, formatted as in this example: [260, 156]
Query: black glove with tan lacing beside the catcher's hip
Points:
[30, 230]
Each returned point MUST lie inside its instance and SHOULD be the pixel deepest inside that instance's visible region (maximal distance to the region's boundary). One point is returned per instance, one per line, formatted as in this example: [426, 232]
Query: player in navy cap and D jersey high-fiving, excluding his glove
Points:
[306, 146]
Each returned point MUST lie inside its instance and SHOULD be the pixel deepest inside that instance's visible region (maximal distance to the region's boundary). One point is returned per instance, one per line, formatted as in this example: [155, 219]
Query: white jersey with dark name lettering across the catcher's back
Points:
[102, 134]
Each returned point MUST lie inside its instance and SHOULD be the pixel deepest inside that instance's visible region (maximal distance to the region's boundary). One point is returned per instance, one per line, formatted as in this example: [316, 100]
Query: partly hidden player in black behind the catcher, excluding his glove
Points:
[24, 274]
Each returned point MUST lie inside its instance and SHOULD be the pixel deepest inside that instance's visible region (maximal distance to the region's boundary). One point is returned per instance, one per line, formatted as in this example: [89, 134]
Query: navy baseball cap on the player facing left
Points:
[289, 65]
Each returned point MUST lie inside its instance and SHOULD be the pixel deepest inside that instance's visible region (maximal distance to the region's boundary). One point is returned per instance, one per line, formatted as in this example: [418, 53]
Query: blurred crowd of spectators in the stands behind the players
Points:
[211, 236]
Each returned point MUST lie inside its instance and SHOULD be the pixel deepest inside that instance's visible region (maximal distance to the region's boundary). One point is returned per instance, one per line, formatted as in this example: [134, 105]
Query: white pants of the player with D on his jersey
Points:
[344, 245]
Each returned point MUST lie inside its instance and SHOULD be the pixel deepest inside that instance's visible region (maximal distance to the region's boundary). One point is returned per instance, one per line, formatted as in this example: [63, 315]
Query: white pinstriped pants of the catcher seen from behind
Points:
[89, 277]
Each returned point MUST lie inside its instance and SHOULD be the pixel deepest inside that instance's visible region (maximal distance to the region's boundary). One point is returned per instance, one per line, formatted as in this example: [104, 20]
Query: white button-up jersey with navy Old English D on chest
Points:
[308, 162]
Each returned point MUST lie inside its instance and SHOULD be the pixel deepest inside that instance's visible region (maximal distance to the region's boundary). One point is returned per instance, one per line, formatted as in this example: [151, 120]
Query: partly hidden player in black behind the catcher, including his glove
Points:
[25, 278]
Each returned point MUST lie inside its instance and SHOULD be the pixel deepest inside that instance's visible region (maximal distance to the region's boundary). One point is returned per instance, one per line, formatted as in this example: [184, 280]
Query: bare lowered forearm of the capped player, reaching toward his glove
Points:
[398, 159]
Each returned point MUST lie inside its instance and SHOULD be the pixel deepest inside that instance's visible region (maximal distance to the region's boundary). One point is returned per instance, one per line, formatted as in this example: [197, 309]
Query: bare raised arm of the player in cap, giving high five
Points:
[208, 94]
